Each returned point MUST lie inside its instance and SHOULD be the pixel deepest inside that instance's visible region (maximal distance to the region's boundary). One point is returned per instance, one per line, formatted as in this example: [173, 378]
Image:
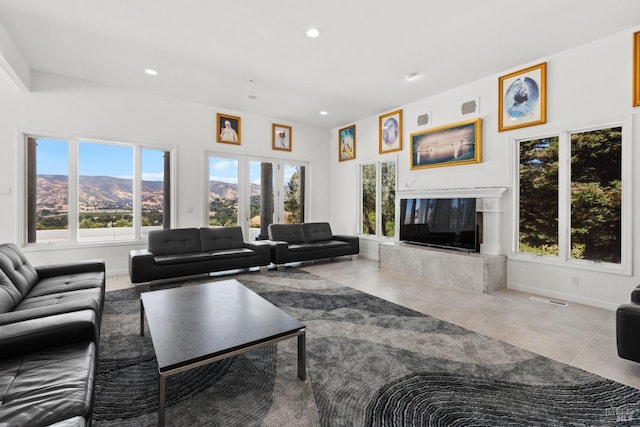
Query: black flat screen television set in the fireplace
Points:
[445, 223]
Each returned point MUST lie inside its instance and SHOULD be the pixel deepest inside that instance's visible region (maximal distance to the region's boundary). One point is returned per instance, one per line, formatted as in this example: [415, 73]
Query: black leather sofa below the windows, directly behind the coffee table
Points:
[189, 251]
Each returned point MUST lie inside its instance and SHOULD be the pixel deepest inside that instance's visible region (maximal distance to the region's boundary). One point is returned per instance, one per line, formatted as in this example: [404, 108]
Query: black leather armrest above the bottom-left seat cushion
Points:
[35, 334]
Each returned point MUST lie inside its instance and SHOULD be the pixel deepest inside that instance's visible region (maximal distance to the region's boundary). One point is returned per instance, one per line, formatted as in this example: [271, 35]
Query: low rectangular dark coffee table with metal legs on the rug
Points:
[195, 325]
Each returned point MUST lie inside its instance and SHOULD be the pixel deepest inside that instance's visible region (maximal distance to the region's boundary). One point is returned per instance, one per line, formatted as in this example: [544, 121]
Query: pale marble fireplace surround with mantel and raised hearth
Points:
[483, 272]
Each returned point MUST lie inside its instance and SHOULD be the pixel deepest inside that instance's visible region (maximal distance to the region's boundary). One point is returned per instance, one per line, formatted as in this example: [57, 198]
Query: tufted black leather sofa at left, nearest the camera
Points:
[49, 334]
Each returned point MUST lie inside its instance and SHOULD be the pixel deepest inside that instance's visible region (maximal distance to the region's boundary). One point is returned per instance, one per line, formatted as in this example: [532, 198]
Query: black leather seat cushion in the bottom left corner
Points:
[48, 386]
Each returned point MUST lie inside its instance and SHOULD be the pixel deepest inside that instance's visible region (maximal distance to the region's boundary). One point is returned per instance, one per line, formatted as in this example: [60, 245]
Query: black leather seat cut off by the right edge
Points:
[628, 328]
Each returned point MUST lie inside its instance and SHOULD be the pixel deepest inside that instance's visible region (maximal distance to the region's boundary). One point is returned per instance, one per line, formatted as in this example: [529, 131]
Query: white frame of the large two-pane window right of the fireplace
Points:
[564, 200]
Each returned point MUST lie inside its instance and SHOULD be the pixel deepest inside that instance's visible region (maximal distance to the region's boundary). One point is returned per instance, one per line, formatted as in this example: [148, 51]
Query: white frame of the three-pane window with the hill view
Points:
[73, 187]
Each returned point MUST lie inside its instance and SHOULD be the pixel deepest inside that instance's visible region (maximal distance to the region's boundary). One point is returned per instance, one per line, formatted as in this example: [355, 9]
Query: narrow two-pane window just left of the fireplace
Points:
[377, 198]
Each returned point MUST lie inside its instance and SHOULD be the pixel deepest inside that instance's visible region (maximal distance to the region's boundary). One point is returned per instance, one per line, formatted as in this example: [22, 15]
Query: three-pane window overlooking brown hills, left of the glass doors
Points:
[89, 191]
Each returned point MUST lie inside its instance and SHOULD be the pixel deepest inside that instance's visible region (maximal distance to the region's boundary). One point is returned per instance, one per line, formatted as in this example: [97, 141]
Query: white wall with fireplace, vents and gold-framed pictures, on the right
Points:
[587, 85]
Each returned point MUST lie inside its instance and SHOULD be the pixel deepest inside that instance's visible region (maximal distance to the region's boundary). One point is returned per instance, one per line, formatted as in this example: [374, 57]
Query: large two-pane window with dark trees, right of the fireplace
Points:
[570, 197]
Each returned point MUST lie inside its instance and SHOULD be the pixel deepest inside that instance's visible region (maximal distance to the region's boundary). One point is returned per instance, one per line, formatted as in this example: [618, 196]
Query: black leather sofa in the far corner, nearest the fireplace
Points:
[309, 241]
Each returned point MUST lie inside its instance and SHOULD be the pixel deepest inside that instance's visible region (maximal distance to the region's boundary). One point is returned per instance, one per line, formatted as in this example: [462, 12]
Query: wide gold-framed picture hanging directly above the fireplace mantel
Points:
[456, 144]
